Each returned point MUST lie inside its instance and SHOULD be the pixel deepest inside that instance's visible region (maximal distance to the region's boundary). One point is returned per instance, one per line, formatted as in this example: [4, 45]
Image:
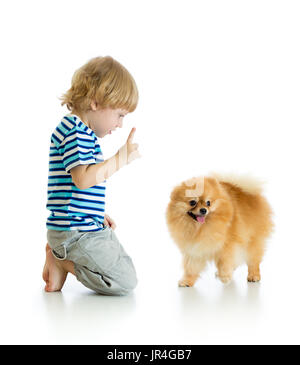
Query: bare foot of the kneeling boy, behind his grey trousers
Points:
[53, 273]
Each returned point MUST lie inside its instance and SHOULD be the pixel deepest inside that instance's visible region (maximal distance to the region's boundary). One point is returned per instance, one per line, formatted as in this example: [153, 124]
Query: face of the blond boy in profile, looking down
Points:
[104, 121]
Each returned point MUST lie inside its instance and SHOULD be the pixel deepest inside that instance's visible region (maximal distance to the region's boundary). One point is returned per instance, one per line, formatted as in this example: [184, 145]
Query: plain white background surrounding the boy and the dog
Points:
[219, 91]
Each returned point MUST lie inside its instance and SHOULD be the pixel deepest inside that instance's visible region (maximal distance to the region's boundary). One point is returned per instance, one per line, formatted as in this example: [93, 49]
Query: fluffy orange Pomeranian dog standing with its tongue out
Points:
[220, 218]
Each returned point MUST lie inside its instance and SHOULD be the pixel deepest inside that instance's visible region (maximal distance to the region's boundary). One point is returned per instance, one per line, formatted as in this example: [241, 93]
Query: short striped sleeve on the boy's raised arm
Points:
[77, 148]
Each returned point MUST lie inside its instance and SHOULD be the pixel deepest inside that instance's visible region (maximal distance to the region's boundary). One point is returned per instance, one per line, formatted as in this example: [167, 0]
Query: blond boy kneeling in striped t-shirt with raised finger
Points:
[81, 237]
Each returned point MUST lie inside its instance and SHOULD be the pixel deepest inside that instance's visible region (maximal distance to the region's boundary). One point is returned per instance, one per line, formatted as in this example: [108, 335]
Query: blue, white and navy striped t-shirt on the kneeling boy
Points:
[73, 143]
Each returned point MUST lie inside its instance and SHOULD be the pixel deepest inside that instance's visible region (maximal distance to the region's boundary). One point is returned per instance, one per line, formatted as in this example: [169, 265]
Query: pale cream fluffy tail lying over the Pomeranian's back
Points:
[247, 183]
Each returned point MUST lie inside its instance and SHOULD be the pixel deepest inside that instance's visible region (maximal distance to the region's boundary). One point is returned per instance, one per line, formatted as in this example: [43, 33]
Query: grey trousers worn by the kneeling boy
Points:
[100, 261]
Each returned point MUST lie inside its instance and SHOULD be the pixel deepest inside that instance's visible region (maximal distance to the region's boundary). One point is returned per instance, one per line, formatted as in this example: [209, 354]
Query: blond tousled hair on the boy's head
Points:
[105, 81]
